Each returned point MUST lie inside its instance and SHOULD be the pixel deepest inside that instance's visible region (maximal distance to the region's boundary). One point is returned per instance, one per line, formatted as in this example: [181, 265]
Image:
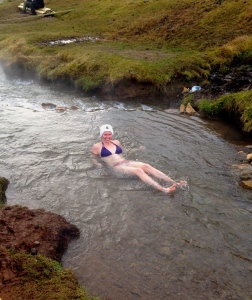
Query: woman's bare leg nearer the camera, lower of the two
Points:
[144, 177]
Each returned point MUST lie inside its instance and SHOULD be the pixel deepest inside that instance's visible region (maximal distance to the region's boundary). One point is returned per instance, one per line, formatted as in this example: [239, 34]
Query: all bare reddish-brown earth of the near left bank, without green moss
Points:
[35, 232]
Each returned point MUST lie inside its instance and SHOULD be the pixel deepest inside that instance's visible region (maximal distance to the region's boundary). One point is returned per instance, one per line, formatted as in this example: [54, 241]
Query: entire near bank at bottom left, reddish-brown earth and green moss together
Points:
[32, 243]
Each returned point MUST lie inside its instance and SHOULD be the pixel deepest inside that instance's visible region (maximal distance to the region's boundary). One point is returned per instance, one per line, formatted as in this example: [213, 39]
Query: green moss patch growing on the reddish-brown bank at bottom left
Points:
[44, 279]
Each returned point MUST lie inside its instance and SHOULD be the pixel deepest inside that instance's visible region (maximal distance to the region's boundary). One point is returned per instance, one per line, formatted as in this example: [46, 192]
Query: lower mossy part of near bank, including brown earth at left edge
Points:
[38, 278]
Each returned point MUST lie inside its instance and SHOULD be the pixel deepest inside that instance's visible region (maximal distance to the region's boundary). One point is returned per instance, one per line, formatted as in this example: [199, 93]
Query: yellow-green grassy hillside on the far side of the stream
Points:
[155, 42]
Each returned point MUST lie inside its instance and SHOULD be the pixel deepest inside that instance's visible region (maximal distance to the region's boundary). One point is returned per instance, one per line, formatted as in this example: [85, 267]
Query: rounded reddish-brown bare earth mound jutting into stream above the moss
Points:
[35, 231]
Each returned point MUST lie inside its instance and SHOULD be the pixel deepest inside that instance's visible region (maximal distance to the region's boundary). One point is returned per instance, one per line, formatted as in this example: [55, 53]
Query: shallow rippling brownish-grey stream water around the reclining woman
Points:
[136, 243]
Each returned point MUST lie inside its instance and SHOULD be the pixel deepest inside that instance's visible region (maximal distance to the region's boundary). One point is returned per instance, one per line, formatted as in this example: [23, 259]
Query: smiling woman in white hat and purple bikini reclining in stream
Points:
[111, 153]
